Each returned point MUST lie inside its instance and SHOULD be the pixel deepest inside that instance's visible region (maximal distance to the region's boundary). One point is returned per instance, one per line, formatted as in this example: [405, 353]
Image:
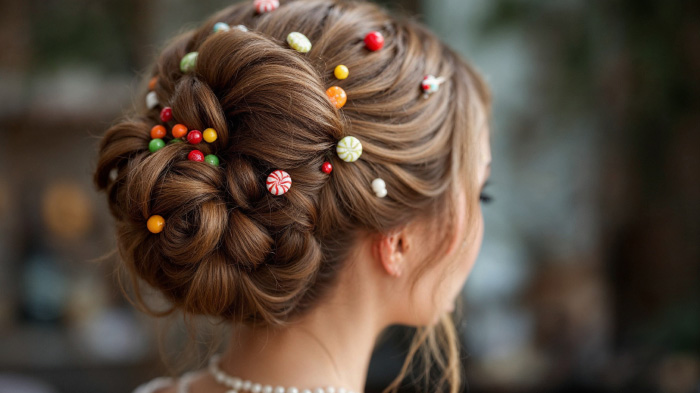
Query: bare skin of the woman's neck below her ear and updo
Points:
[331, 345]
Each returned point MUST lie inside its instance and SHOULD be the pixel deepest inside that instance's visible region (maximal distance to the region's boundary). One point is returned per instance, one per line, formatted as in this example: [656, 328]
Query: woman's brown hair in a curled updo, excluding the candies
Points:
[229, 248]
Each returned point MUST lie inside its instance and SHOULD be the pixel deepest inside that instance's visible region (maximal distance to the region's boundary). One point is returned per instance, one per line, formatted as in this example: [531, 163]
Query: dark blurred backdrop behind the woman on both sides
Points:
[589, 276]
